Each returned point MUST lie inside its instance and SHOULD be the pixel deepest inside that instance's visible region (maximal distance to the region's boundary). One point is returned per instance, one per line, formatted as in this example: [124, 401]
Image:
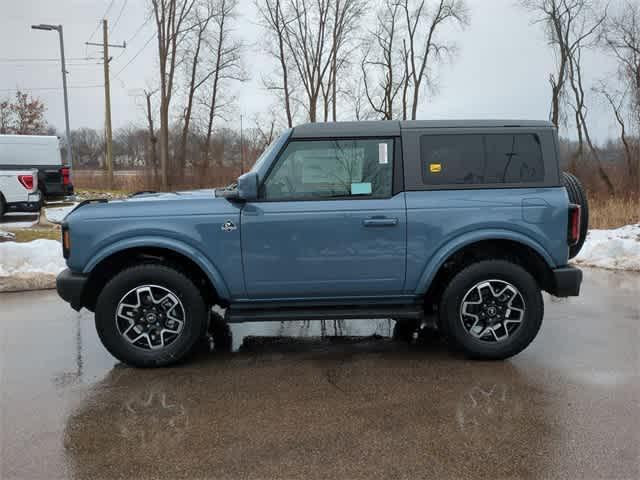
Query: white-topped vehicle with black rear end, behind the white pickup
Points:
[42, 153]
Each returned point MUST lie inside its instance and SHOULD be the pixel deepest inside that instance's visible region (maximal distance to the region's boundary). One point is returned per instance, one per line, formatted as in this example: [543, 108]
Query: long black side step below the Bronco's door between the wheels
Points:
[235, 314]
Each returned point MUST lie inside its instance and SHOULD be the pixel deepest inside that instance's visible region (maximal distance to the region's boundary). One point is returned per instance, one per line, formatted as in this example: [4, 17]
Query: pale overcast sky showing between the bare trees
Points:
[501, 70]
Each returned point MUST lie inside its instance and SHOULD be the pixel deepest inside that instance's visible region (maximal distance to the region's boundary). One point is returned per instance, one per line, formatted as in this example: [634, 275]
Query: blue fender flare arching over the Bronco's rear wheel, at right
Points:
[461, 241]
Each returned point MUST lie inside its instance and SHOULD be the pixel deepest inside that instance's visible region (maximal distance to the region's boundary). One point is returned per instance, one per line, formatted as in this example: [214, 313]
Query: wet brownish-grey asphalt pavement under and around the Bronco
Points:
[369, 407]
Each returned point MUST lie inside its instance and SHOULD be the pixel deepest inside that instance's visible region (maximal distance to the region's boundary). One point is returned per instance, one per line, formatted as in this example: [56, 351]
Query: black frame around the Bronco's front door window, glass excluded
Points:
[397, 174]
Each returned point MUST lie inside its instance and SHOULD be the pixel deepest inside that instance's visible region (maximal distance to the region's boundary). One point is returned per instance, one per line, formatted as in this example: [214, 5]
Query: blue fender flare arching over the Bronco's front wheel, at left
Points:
[176, 246]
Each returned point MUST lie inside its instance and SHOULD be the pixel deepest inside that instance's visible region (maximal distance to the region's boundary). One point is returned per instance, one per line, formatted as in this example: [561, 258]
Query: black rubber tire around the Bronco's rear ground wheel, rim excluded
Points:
[503, 271]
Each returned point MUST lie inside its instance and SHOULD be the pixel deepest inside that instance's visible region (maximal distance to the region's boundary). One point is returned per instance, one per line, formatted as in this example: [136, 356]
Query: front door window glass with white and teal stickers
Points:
[321, 169]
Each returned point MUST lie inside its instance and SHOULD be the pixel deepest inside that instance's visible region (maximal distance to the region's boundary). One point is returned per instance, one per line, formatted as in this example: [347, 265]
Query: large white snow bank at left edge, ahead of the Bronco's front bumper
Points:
[39, 256]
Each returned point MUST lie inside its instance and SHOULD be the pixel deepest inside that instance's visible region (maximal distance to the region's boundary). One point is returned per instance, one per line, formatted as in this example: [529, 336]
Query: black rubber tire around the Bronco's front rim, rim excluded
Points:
[195, 315]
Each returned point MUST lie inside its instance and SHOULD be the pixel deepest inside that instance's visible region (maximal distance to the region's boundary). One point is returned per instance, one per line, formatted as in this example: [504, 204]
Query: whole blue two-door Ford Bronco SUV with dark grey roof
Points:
[464, 222]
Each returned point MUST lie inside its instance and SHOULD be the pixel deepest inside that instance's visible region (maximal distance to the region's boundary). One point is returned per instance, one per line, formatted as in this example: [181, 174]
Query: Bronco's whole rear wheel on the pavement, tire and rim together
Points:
[492, 309]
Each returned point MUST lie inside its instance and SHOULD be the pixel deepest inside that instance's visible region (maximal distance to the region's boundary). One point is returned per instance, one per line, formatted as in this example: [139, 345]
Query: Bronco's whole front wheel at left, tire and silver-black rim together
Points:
[150, 315]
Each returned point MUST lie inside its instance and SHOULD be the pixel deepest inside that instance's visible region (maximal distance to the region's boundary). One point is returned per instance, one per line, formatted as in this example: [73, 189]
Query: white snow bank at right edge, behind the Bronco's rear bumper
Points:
[617, 249]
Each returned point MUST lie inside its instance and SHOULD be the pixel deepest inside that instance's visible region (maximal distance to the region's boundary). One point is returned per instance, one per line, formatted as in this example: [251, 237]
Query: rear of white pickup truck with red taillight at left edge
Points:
[19, 191]
